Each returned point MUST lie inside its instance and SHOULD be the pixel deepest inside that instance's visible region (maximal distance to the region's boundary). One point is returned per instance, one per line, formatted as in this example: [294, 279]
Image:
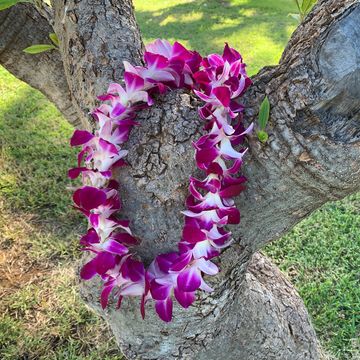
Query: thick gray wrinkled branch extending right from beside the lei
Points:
[313, 153]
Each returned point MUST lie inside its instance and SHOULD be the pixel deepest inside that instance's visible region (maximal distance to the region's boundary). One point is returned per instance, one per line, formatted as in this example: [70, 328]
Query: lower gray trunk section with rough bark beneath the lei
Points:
[254, 314]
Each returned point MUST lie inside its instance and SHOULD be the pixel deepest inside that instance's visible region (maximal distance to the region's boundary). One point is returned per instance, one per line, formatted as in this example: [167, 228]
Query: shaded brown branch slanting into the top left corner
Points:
[22, 26]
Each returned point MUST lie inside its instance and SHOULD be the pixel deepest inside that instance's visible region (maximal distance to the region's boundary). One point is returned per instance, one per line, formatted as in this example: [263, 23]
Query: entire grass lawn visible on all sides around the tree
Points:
[41, 315]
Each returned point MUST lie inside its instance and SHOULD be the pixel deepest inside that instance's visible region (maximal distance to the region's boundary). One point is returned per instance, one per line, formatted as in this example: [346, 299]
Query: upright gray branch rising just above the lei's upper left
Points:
[95, 37]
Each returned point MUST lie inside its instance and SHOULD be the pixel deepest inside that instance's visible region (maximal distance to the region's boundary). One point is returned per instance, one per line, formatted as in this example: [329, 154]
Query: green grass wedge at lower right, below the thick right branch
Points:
[321, 257]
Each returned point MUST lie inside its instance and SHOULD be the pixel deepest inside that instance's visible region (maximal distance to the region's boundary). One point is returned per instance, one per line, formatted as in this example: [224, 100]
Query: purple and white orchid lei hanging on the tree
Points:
[217, 80]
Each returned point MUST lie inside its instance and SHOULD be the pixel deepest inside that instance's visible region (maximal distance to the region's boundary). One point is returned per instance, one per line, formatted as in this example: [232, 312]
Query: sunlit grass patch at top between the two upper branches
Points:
[258, 28]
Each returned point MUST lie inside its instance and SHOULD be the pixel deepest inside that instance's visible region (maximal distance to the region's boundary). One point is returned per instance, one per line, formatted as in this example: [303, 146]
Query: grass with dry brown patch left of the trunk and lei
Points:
[41, 315]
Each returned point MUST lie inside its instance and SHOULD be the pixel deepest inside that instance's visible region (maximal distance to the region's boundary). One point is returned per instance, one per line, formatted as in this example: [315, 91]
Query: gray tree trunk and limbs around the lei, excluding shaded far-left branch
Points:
[312, 157]
